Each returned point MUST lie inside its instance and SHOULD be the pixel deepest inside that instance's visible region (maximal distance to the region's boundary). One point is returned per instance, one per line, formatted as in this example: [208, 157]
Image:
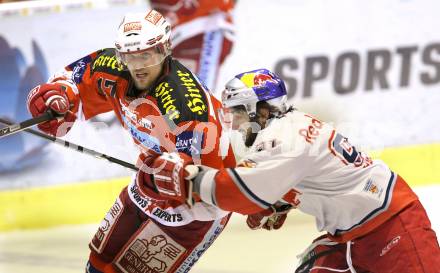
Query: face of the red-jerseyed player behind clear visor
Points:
[144, 67]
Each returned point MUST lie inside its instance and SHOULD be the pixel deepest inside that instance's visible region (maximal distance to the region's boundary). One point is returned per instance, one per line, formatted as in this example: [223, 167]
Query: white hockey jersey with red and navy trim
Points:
[300, 160]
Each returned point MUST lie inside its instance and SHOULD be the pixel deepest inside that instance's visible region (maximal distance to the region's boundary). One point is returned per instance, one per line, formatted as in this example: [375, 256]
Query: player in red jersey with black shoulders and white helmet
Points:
[165, 108]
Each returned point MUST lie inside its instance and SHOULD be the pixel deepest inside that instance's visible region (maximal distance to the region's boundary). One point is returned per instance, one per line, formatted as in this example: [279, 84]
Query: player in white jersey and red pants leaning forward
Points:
[374, 221]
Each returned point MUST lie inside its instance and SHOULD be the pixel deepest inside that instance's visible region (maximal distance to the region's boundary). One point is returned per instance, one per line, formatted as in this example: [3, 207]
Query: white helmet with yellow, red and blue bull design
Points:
[249, 88]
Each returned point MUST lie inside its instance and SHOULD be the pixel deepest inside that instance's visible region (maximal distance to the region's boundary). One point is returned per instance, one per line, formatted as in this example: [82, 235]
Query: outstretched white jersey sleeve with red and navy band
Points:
[251, 187]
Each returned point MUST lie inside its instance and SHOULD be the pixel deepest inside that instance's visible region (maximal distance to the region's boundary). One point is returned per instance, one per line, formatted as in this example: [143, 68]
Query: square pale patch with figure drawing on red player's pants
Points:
[151, 251]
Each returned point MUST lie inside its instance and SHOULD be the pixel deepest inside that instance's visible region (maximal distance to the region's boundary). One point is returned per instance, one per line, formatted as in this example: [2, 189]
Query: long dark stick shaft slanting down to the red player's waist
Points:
[73, 146]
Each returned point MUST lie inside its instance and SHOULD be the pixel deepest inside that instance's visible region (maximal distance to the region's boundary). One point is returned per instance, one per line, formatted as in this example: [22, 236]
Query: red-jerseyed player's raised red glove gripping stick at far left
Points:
[51, 97]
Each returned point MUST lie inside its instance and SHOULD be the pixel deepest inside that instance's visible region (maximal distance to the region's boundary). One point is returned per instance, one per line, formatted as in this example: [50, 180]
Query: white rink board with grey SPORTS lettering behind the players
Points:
[286, 36]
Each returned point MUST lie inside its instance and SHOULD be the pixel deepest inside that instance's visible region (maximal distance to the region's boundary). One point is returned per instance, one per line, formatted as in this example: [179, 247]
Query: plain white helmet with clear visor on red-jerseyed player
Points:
[141, 32]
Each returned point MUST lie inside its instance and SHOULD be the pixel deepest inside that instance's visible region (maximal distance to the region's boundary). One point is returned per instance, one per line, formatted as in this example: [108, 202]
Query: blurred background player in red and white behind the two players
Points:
[203, 34]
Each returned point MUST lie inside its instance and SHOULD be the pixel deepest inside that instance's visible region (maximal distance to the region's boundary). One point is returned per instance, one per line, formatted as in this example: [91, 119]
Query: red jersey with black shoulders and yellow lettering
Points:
[176, 114]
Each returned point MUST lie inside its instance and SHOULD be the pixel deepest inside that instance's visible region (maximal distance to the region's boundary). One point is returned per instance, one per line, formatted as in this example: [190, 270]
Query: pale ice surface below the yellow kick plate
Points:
[237, 250]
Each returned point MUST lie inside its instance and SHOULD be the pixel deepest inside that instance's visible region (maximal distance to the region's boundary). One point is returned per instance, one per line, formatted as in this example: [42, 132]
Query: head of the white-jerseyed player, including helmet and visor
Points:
[242, 98]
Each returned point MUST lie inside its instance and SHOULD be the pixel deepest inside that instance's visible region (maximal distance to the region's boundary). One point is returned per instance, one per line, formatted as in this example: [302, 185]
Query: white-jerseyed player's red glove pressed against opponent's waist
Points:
[171, 178]
